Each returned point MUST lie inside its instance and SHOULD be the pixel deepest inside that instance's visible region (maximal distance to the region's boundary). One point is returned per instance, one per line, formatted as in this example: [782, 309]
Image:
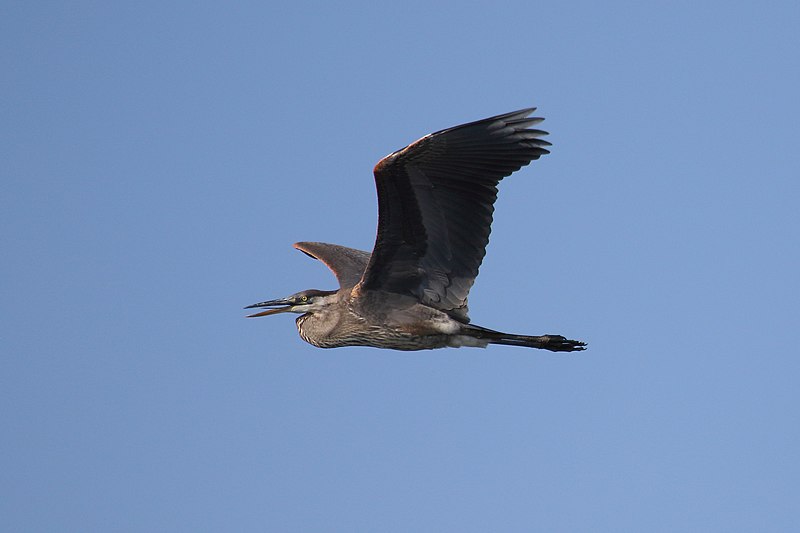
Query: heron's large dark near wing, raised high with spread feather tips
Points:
[435, 203]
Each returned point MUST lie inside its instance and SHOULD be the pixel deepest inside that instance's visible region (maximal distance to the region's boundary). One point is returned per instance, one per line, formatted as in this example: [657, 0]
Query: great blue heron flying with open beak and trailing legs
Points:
[435, 202]
